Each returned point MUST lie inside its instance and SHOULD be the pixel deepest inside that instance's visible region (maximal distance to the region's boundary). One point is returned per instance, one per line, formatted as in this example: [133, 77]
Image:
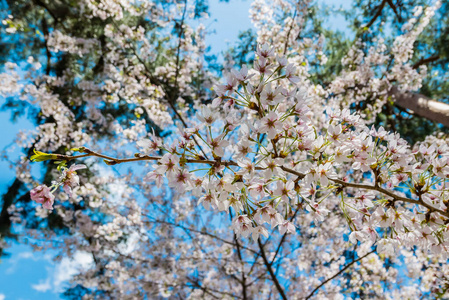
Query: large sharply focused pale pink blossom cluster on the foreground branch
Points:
[266, 157]
